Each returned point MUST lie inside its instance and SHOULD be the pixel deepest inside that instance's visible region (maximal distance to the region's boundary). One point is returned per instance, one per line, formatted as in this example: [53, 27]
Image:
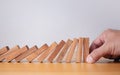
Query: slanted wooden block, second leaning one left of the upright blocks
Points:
[64, 50]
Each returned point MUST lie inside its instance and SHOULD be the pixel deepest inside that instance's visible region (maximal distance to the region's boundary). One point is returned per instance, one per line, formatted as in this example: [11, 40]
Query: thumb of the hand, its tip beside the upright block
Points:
[97, 54]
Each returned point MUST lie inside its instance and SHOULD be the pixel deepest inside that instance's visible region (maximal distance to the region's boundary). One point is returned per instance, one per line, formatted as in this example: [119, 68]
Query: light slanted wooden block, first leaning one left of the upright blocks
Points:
[71, 51]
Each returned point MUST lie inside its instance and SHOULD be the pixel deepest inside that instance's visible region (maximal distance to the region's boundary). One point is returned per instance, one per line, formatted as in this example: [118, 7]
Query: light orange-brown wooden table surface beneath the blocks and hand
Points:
[104, 68]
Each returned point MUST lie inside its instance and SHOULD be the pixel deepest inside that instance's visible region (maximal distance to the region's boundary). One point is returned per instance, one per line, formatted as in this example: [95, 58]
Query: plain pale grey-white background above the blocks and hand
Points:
[35, 22]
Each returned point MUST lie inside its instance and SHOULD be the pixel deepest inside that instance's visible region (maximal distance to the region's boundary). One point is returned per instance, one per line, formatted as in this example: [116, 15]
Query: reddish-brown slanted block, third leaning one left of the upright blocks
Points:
[56, 51]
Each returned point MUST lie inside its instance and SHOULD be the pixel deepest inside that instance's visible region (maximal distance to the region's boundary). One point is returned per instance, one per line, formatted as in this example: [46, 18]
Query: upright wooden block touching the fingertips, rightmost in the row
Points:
[86, 48]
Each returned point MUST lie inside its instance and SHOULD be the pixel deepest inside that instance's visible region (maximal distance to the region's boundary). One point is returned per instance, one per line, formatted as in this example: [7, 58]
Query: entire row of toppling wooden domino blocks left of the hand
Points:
[76, 50]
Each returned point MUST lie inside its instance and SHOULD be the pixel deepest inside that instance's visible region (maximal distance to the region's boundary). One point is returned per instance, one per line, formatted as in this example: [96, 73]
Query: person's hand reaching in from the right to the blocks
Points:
[106, 45]
